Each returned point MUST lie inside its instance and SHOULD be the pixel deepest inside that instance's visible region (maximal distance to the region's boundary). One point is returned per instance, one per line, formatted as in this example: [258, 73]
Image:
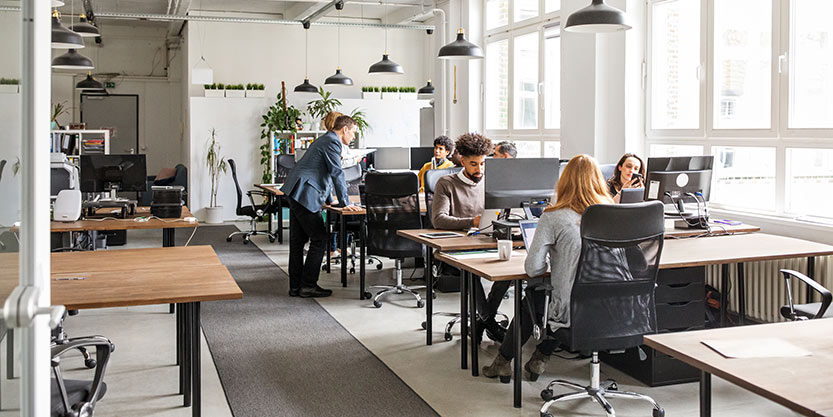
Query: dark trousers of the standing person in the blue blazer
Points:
[305, 226]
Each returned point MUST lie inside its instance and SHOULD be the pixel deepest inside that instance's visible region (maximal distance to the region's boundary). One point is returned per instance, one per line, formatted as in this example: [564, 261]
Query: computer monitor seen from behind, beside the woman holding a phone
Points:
[669, 179]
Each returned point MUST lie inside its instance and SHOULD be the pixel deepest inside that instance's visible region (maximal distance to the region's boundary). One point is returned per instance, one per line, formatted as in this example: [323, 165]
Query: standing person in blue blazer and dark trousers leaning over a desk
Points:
[311, 184]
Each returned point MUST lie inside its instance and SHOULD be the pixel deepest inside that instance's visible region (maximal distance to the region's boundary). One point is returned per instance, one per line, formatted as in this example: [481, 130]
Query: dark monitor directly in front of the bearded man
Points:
[510, 182]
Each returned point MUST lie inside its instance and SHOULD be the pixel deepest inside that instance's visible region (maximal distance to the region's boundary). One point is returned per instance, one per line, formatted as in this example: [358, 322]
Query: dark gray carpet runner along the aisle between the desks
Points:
[286, 356]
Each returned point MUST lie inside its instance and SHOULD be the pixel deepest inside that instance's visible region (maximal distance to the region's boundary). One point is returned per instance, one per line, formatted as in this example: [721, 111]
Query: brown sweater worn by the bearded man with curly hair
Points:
[456, 203]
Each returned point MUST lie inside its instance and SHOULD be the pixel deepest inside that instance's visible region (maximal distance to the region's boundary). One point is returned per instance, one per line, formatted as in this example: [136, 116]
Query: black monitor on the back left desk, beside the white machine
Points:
[100, 173]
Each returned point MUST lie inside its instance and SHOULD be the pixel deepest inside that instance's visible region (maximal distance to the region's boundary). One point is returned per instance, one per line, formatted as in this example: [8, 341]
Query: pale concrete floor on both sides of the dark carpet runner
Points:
[142, 379]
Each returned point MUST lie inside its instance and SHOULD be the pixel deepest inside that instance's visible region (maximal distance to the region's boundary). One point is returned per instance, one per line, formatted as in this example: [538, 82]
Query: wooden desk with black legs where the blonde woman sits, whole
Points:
[676, 253]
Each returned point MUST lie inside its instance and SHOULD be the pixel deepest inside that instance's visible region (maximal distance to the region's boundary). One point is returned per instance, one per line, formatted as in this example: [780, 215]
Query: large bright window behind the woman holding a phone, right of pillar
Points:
[765, 69]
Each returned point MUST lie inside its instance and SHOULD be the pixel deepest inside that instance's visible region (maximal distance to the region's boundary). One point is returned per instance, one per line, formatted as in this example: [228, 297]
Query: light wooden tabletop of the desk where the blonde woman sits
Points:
[680, 253]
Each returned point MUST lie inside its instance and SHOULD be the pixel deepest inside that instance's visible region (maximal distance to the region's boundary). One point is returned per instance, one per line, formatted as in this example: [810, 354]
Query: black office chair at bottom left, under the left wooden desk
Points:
[76, 397]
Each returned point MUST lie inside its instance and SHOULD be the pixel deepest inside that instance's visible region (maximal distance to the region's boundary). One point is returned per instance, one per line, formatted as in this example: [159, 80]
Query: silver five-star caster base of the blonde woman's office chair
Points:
[596, 391]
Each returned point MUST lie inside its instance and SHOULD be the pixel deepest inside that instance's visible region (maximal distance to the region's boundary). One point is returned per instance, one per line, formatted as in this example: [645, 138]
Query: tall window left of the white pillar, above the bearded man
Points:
[521, 74]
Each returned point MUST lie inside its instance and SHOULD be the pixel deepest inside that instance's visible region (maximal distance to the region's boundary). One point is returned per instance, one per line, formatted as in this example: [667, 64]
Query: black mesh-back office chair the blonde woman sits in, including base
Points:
[612, 301]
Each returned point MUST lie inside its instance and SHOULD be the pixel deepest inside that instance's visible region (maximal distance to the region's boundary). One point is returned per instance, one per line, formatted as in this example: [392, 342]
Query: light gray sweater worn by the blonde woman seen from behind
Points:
[556, 246]
